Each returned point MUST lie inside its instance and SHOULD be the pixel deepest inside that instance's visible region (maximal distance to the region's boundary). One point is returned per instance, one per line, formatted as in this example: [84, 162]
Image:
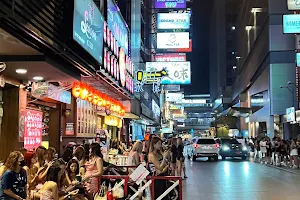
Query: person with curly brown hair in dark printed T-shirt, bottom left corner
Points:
[14, 180]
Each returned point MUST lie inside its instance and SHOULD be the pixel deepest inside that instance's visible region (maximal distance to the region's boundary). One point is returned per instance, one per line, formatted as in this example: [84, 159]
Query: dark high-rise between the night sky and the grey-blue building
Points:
[222, 51]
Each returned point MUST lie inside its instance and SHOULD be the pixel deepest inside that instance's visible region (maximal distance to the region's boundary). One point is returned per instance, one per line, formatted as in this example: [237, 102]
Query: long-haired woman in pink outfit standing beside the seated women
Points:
[94, 169]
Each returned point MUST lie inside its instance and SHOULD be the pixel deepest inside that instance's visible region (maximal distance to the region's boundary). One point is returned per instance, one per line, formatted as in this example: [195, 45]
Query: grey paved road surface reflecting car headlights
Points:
[238, 180]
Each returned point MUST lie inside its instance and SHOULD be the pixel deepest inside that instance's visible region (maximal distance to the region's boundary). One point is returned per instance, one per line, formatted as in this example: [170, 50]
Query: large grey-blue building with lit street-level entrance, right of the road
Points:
[265, 64]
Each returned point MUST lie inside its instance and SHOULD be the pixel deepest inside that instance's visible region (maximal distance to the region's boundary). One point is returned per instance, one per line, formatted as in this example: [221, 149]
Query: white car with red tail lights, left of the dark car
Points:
[205, 147]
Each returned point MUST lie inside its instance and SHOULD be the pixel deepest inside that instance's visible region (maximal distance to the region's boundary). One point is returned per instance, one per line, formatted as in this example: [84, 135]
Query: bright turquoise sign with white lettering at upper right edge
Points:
[291, 23]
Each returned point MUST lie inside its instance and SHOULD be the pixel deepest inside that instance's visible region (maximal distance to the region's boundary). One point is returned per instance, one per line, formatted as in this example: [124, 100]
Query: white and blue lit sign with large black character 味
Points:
[178, 73]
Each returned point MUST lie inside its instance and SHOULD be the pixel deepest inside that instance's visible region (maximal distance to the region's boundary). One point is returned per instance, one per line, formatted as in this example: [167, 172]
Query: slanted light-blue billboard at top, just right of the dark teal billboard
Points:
[117, 25]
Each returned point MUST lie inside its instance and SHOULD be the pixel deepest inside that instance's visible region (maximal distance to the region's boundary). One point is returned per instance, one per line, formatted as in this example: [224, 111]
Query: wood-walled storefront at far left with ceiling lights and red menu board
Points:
[34, 100]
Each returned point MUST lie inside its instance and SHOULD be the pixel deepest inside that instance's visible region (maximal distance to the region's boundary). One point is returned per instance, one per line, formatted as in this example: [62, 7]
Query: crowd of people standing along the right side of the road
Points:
[277, 151]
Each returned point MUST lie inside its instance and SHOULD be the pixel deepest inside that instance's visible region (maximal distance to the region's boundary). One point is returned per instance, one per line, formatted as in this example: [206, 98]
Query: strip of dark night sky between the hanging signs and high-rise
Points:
[200, 56]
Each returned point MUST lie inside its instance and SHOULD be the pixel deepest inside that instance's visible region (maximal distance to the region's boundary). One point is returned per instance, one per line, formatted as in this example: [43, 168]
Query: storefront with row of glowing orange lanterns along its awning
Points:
[92, 112]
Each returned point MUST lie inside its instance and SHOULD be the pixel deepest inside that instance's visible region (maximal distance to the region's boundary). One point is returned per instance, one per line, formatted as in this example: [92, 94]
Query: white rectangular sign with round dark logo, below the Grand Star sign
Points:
[173, 40]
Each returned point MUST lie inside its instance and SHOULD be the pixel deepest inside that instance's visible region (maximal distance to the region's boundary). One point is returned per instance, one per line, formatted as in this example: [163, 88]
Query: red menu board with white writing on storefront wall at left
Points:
[33, 126]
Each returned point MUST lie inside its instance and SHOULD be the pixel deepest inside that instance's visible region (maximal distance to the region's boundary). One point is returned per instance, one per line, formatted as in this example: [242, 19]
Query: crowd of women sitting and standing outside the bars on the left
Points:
[42, 174]
